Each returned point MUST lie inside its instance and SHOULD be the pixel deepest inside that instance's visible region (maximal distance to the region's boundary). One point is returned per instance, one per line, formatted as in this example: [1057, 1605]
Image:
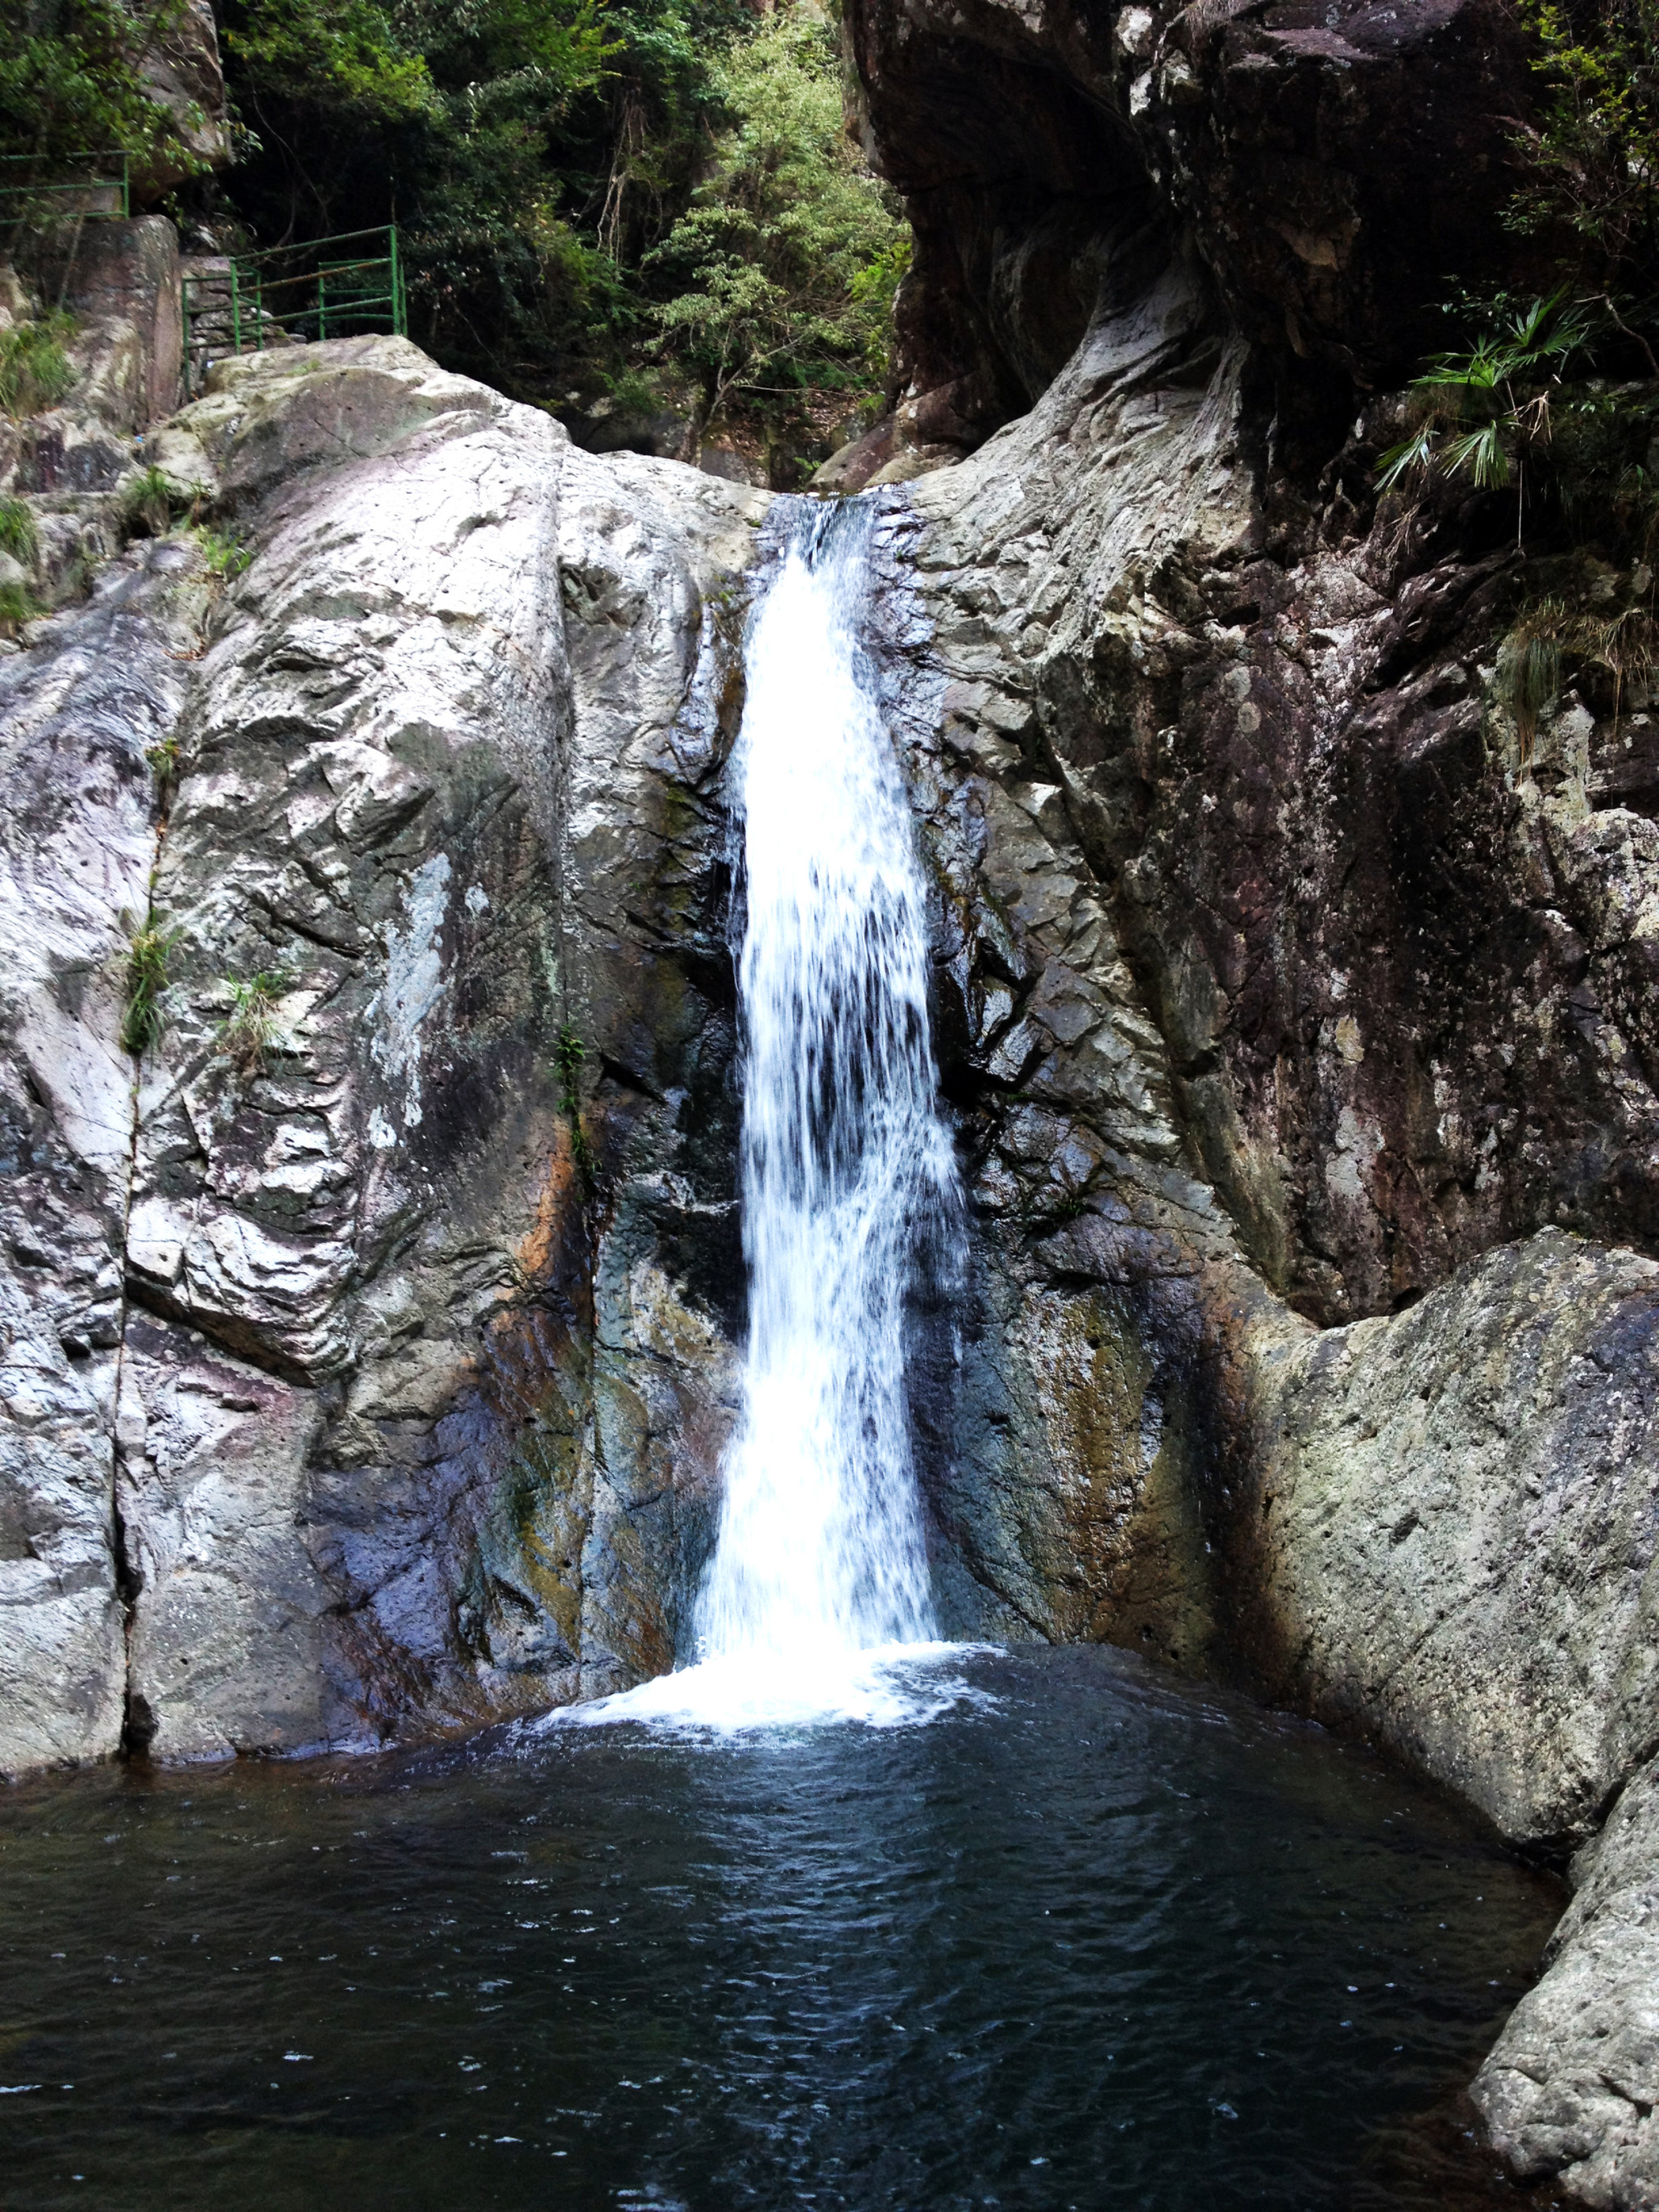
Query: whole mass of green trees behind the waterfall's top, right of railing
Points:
[561, 174]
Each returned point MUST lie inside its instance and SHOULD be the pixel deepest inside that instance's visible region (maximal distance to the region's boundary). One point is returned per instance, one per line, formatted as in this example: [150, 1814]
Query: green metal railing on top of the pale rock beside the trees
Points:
[306, 291]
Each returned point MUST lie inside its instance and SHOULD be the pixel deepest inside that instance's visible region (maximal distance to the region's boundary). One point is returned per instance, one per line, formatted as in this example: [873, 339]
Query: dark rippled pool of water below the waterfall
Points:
[1107, 1943]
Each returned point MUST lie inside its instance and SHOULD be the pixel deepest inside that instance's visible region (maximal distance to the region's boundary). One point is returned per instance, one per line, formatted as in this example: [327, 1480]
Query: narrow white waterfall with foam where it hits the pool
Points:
[817, 1596]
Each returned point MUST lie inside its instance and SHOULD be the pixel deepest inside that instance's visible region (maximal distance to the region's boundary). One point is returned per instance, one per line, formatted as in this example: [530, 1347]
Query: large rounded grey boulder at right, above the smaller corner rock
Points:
[1452, 1532]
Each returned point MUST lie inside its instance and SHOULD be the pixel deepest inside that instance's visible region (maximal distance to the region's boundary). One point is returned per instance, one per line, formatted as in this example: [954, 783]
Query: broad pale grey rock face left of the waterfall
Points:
[415, 1238]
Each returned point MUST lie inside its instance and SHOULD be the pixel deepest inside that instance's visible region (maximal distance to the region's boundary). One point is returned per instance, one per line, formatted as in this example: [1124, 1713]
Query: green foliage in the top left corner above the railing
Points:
[72, 83]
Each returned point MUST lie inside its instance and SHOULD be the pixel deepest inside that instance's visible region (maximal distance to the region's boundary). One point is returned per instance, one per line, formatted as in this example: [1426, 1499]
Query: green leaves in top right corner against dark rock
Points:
[1594, 149]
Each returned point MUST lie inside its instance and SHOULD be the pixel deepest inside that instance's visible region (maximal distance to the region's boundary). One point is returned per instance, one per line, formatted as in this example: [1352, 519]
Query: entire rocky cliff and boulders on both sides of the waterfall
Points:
[371, 1357]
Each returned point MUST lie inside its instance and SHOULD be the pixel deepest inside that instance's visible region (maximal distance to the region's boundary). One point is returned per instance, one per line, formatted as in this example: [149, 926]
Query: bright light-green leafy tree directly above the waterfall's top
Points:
[791, 251]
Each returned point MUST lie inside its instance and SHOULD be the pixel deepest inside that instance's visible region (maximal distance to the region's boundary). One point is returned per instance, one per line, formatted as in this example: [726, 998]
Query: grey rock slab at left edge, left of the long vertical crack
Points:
[76, 851]
